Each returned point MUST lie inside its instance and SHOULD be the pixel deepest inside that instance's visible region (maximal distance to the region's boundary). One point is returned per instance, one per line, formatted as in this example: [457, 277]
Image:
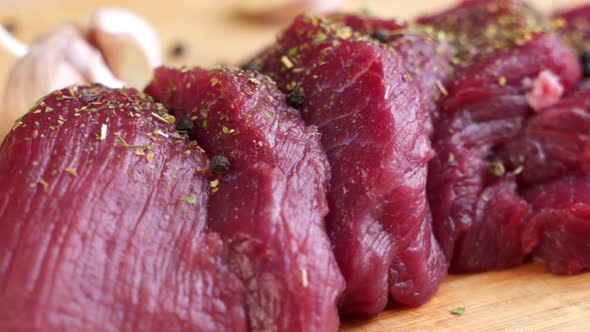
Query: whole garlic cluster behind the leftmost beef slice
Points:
[103, 53]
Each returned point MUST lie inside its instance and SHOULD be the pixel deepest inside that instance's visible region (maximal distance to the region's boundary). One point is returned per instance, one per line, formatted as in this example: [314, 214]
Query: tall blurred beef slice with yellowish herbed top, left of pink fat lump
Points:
[502, 50]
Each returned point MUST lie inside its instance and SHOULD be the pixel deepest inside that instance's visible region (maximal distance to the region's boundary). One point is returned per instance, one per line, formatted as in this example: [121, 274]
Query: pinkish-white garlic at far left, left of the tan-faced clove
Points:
[63, 58]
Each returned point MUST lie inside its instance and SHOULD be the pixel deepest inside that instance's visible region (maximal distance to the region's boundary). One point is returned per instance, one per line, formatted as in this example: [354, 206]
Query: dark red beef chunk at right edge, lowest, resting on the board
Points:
[559, 229]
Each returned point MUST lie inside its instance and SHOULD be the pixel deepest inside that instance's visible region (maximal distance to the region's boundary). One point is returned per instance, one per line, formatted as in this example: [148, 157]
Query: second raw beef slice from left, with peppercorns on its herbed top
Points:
[270, 204]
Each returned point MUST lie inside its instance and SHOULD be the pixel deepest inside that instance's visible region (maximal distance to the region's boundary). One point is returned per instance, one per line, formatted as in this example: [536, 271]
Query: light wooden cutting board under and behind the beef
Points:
[524, 299]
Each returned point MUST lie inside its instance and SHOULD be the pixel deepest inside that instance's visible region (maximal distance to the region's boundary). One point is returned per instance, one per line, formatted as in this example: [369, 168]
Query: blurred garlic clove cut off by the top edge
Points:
[283, 11]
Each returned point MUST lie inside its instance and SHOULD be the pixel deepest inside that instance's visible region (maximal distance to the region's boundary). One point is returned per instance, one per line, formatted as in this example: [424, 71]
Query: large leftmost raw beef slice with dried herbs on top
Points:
[103, 222]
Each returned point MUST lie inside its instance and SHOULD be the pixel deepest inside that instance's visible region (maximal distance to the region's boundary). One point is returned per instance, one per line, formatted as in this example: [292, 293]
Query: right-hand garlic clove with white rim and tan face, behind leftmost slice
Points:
[129, 45]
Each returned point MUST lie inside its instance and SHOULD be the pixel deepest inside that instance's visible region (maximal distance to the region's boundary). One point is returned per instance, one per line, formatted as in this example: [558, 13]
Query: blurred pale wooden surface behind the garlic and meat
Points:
[194, 32]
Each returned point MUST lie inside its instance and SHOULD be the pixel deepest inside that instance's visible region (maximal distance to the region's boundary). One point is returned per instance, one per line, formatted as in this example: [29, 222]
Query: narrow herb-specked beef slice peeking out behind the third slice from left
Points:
[427, 55]
